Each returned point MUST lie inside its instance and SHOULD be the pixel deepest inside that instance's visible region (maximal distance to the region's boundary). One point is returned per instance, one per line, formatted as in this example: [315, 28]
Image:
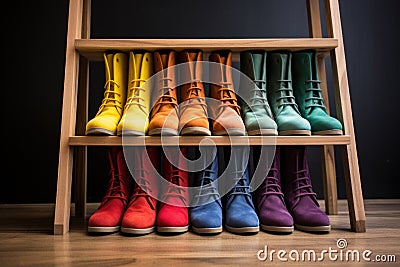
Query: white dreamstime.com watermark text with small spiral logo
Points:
[338, 253]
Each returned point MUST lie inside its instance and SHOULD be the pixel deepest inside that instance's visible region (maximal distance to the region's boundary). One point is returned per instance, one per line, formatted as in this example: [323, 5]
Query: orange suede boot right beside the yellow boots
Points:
[164, 115]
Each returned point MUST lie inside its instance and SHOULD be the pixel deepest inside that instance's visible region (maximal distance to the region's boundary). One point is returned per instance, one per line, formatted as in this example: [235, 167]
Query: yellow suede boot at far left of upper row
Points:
[110, 111]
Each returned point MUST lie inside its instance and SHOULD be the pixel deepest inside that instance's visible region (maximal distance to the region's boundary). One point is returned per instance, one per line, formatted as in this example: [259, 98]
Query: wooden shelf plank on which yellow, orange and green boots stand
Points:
[207, 140]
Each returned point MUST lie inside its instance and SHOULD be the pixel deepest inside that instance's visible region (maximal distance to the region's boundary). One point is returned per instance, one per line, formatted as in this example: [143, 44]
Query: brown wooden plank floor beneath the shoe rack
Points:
[26, 239]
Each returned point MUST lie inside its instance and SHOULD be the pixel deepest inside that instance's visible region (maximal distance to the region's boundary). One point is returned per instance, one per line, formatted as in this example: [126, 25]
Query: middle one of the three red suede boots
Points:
[140, 216]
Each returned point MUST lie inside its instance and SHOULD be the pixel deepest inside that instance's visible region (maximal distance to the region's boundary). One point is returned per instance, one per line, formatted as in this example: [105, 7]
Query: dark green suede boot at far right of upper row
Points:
[308, 95]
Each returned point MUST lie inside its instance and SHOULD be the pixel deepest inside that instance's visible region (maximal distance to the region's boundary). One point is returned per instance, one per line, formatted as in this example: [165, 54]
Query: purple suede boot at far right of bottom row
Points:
[300, 198]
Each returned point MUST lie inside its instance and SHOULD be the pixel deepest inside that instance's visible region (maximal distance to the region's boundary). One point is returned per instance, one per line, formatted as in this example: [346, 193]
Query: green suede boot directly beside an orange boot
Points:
[257, 114]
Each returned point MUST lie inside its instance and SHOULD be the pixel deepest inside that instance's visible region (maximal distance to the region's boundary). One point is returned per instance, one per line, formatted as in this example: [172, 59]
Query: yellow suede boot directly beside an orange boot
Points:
[135, 117]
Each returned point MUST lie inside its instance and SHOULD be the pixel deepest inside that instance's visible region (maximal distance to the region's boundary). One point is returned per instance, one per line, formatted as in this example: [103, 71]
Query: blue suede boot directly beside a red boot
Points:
[206, 212]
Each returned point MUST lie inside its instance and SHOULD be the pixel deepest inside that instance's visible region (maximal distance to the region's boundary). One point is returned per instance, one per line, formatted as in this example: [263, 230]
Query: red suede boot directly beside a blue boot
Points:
[173, 216]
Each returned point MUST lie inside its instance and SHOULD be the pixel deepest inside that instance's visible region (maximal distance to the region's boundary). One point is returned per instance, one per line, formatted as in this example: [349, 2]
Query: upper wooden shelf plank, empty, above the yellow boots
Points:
[93, 49]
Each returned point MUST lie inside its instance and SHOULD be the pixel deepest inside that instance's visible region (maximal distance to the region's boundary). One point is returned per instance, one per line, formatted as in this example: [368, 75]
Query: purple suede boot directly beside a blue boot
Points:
[272, 212]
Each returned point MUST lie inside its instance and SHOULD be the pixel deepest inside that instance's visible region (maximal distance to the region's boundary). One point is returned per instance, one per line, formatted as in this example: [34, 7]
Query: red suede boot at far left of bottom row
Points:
[108, 216]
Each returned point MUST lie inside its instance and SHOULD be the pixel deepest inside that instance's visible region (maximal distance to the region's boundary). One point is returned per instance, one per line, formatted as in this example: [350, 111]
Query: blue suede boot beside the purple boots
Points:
[240, 214]
